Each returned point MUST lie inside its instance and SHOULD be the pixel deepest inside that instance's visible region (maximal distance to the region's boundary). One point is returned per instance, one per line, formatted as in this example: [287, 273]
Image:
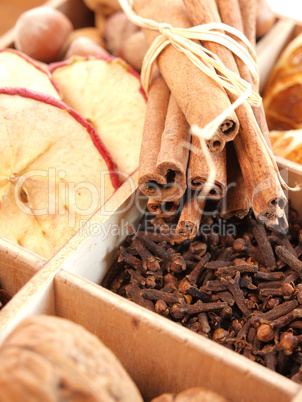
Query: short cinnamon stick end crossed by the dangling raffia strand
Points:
[199, 170]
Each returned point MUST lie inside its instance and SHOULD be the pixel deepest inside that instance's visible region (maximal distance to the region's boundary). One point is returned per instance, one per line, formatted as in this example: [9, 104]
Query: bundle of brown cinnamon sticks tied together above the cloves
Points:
[173, 167]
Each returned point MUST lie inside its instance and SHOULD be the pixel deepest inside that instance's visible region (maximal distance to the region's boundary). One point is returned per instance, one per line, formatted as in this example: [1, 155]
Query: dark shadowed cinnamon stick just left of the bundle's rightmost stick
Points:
[236, 202]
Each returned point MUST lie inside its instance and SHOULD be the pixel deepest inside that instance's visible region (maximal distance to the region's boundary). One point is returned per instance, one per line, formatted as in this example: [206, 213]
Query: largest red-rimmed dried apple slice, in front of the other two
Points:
[55, 172]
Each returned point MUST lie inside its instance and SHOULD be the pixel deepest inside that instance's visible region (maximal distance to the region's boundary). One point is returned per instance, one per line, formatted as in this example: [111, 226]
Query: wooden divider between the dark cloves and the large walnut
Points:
[158, 354]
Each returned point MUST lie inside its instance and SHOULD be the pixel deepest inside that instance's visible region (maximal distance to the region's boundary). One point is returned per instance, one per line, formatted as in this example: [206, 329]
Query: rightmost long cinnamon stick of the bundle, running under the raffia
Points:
[263, 189]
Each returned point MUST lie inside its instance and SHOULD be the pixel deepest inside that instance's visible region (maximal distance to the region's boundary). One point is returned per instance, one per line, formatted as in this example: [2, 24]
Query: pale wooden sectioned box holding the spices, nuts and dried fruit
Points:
[160, 355]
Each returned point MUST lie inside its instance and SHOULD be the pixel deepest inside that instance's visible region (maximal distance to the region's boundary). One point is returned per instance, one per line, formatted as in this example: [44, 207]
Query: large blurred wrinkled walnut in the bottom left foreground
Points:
[52, 359]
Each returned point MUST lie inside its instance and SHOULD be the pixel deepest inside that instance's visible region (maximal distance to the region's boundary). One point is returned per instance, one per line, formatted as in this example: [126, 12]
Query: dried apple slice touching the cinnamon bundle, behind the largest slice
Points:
[108, 93]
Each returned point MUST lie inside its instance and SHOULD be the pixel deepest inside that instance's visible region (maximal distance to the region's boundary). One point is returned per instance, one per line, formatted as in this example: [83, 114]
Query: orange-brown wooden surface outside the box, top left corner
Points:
[11, 9]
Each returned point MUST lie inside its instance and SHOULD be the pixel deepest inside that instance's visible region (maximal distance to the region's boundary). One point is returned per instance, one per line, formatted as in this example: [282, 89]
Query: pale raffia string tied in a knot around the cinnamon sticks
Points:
[208, 62]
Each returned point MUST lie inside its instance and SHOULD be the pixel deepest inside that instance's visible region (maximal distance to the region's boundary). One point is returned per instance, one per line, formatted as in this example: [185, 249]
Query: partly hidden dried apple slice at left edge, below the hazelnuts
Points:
[19, 70]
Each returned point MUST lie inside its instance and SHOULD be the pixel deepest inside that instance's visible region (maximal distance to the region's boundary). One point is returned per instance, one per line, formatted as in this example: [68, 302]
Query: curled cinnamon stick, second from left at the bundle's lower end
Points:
[173, 156]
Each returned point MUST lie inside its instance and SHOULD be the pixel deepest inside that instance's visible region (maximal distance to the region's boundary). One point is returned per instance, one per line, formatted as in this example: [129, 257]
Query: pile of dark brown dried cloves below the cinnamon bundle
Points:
[242, 288]
